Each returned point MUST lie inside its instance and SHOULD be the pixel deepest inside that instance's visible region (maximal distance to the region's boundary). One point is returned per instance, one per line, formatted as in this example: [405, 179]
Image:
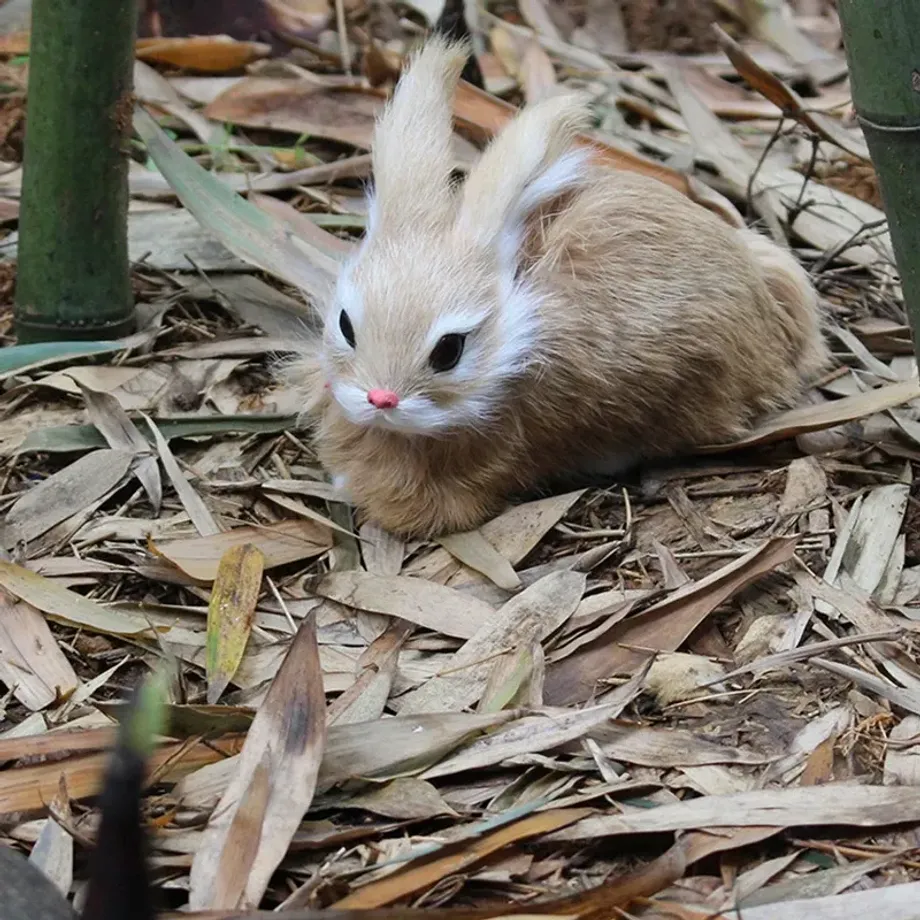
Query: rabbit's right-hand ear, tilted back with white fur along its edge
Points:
[528, 163]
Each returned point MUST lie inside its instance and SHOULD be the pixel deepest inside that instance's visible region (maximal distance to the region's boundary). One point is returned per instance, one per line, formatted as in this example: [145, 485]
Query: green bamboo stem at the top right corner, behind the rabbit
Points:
[882, 40]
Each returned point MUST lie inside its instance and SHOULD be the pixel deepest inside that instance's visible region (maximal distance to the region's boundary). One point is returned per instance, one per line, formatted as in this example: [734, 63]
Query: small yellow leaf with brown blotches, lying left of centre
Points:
[231, 612]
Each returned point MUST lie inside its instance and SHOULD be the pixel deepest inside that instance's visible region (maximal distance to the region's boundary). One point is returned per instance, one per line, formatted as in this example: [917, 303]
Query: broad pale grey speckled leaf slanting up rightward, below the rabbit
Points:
[527, 618]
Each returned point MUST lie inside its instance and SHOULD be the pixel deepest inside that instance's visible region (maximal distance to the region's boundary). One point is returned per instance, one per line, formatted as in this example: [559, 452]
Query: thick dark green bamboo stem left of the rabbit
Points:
[74, 278]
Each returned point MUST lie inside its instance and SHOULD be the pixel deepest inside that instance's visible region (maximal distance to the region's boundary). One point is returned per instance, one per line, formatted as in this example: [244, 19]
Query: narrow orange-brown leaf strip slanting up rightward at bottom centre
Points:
[453, 859]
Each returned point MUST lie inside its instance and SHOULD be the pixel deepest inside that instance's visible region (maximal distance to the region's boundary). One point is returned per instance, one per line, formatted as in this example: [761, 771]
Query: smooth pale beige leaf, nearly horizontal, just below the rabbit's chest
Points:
[421, 602]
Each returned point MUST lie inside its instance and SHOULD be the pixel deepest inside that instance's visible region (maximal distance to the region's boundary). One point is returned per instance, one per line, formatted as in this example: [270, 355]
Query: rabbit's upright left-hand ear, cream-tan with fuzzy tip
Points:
[411, 152]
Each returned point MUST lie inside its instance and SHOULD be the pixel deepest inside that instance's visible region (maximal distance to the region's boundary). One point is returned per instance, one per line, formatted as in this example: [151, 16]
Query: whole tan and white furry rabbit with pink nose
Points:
[552, 315]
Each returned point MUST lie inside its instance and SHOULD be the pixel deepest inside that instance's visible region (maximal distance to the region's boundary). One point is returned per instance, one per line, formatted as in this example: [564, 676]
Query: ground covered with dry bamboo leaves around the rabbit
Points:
[693, 691]
